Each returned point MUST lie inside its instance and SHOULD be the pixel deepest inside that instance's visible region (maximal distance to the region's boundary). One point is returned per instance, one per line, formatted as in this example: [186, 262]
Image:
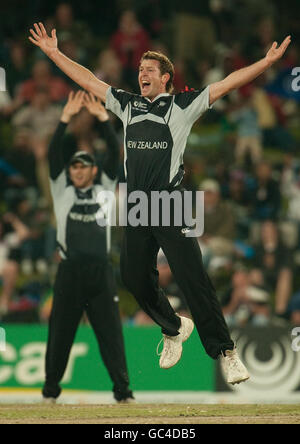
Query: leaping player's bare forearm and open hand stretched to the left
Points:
[76, 72]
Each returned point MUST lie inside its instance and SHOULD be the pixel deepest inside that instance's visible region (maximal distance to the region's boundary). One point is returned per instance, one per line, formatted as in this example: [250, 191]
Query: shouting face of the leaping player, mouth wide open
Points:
[151, 81]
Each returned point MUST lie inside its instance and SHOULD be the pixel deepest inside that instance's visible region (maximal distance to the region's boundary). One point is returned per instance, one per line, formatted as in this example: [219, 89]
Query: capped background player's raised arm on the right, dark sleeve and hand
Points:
[111, 159]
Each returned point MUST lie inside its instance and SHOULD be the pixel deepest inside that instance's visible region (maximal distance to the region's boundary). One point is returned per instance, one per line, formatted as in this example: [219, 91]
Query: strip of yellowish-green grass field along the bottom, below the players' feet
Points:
[150, 414]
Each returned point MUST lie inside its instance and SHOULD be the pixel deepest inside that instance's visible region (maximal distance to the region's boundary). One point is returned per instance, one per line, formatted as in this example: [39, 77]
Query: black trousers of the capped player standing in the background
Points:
[90, 287]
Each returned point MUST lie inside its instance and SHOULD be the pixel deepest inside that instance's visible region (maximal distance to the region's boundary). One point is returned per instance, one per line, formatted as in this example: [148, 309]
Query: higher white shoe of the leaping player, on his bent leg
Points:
[172, 350]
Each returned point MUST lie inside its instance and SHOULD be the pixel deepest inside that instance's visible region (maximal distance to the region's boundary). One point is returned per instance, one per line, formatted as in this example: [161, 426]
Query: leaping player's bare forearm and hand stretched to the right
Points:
[245, 75]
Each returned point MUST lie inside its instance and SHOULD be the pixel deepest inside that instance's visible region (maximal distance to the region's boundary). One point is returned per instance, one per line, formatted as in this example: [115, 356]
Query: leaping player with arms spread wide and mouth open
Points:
[154, 117]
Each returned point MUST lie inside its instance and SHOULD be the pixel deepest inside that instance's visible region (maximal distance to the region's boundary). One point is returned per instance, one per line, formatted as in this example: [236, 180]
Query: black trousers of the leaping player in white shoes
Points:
[140, 275]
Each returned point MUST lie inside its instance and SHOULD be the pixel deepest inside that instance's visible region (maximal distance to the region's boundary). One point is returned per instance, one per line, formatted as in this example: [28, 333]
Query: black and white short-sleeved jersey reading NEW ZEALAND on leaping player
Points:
[155, 135]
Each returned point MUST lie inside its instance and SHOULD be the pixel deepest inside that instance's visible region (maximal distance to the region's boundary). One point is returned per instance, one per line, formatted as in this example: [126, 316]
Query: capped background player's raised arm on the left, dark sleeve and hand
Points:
[57, 155]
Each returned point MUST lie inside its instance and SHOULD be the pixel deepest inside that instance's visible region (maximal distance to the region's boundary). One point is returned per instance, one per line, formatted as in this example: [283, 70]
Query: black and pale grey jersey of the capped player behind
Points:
[79, 236]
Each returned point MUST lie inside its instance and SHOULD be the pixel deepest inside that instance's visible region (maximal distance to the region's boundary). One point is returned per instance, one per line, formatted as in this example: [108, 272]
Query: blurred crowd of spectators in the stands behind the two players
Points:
[243, 153]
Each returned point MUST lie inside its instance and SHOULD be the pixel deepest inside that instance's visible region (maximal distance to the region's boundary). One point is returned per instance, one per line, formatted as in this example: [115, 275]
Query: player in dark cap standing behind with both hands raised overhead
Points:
[84, 280]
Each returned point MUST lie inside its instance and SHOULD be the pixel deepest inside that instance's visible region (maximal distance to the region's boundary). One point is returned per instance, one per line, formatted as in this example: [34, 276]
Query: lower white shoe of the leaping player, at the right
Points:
[233, 368]
